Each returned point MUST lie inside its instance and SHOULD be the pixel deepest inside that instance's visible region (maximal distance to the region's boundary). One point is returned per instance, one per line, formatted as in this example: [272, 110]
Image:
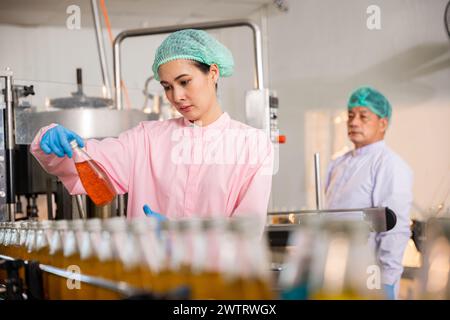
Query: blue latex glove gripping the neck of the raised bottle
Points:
[57, 140]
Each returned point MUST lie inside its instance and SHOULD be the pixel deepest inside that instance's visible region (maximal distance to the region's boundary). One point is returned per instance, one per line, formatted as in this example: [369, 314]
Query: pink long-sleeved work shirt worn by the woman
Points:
[180, 169]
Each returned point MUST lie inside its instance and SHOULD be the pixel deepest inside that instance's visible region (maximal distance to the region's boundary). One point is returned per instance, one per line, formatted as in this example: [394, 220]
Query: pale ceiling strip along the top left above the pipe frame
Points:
[127, 13]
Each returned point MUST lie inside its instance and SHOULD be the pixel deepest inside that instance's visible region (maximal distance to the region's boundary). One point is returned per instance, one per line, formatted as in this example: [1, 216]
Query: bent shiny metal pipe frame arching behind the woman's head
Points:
[259, 72]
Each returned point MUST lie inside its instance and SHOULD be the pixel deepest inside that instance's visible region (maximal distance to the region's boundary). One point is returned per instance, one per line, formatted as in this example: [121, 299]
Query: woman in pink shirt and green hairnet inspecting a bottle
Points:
[201, 165]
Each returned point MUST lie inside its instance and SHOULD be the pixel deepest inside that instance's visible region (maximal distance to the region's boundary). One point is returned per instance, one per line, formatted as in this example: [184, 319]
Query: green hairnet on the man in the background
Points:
[372, 99]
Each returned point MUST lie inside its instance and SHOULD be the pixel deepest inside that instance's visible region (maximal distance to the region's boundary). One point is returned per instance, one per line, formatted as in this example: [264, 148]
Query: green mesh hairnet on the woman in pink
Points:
[194, 45]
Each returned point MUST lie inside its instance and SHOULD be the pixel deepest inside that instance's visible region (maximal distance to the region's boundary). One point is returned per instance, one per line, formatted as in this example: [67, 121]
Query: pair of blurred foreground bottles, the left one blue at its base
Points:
[330, 260]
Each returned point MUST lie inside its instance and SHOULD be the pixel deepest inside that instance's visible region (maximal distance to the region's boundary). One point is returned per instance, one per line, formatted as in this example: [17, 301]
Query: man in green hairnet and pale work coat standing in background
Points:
[372, 175]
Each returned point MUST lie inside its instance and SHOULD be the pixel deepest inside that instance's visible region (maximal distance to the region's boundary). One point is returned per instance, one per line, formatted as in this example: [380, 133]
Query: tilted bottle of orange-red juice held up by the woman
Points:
[94, 179]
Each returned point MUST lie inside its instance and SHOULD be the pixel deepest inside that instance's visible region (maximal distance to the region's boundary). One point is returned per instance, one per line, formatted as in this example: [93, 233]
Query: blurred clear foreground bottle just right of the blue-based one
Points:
[341, 263]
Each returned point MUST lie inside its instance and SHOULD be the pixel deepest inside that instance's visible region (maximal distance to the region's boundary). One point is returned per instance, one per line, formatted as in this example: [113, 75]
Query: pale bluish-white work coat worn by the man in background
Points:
[374, 176]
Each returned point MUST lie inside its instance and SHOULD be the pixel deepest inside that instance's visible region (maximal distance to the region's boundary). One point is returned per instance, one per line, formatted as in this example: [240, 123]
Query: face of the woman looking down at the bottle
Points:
[188, 89]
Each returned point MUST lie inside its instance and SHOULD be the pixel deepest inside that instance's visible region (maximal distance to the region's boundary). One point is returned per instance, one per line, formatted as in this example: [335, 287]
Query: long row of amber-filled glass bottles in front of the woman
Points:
[215, 258]
